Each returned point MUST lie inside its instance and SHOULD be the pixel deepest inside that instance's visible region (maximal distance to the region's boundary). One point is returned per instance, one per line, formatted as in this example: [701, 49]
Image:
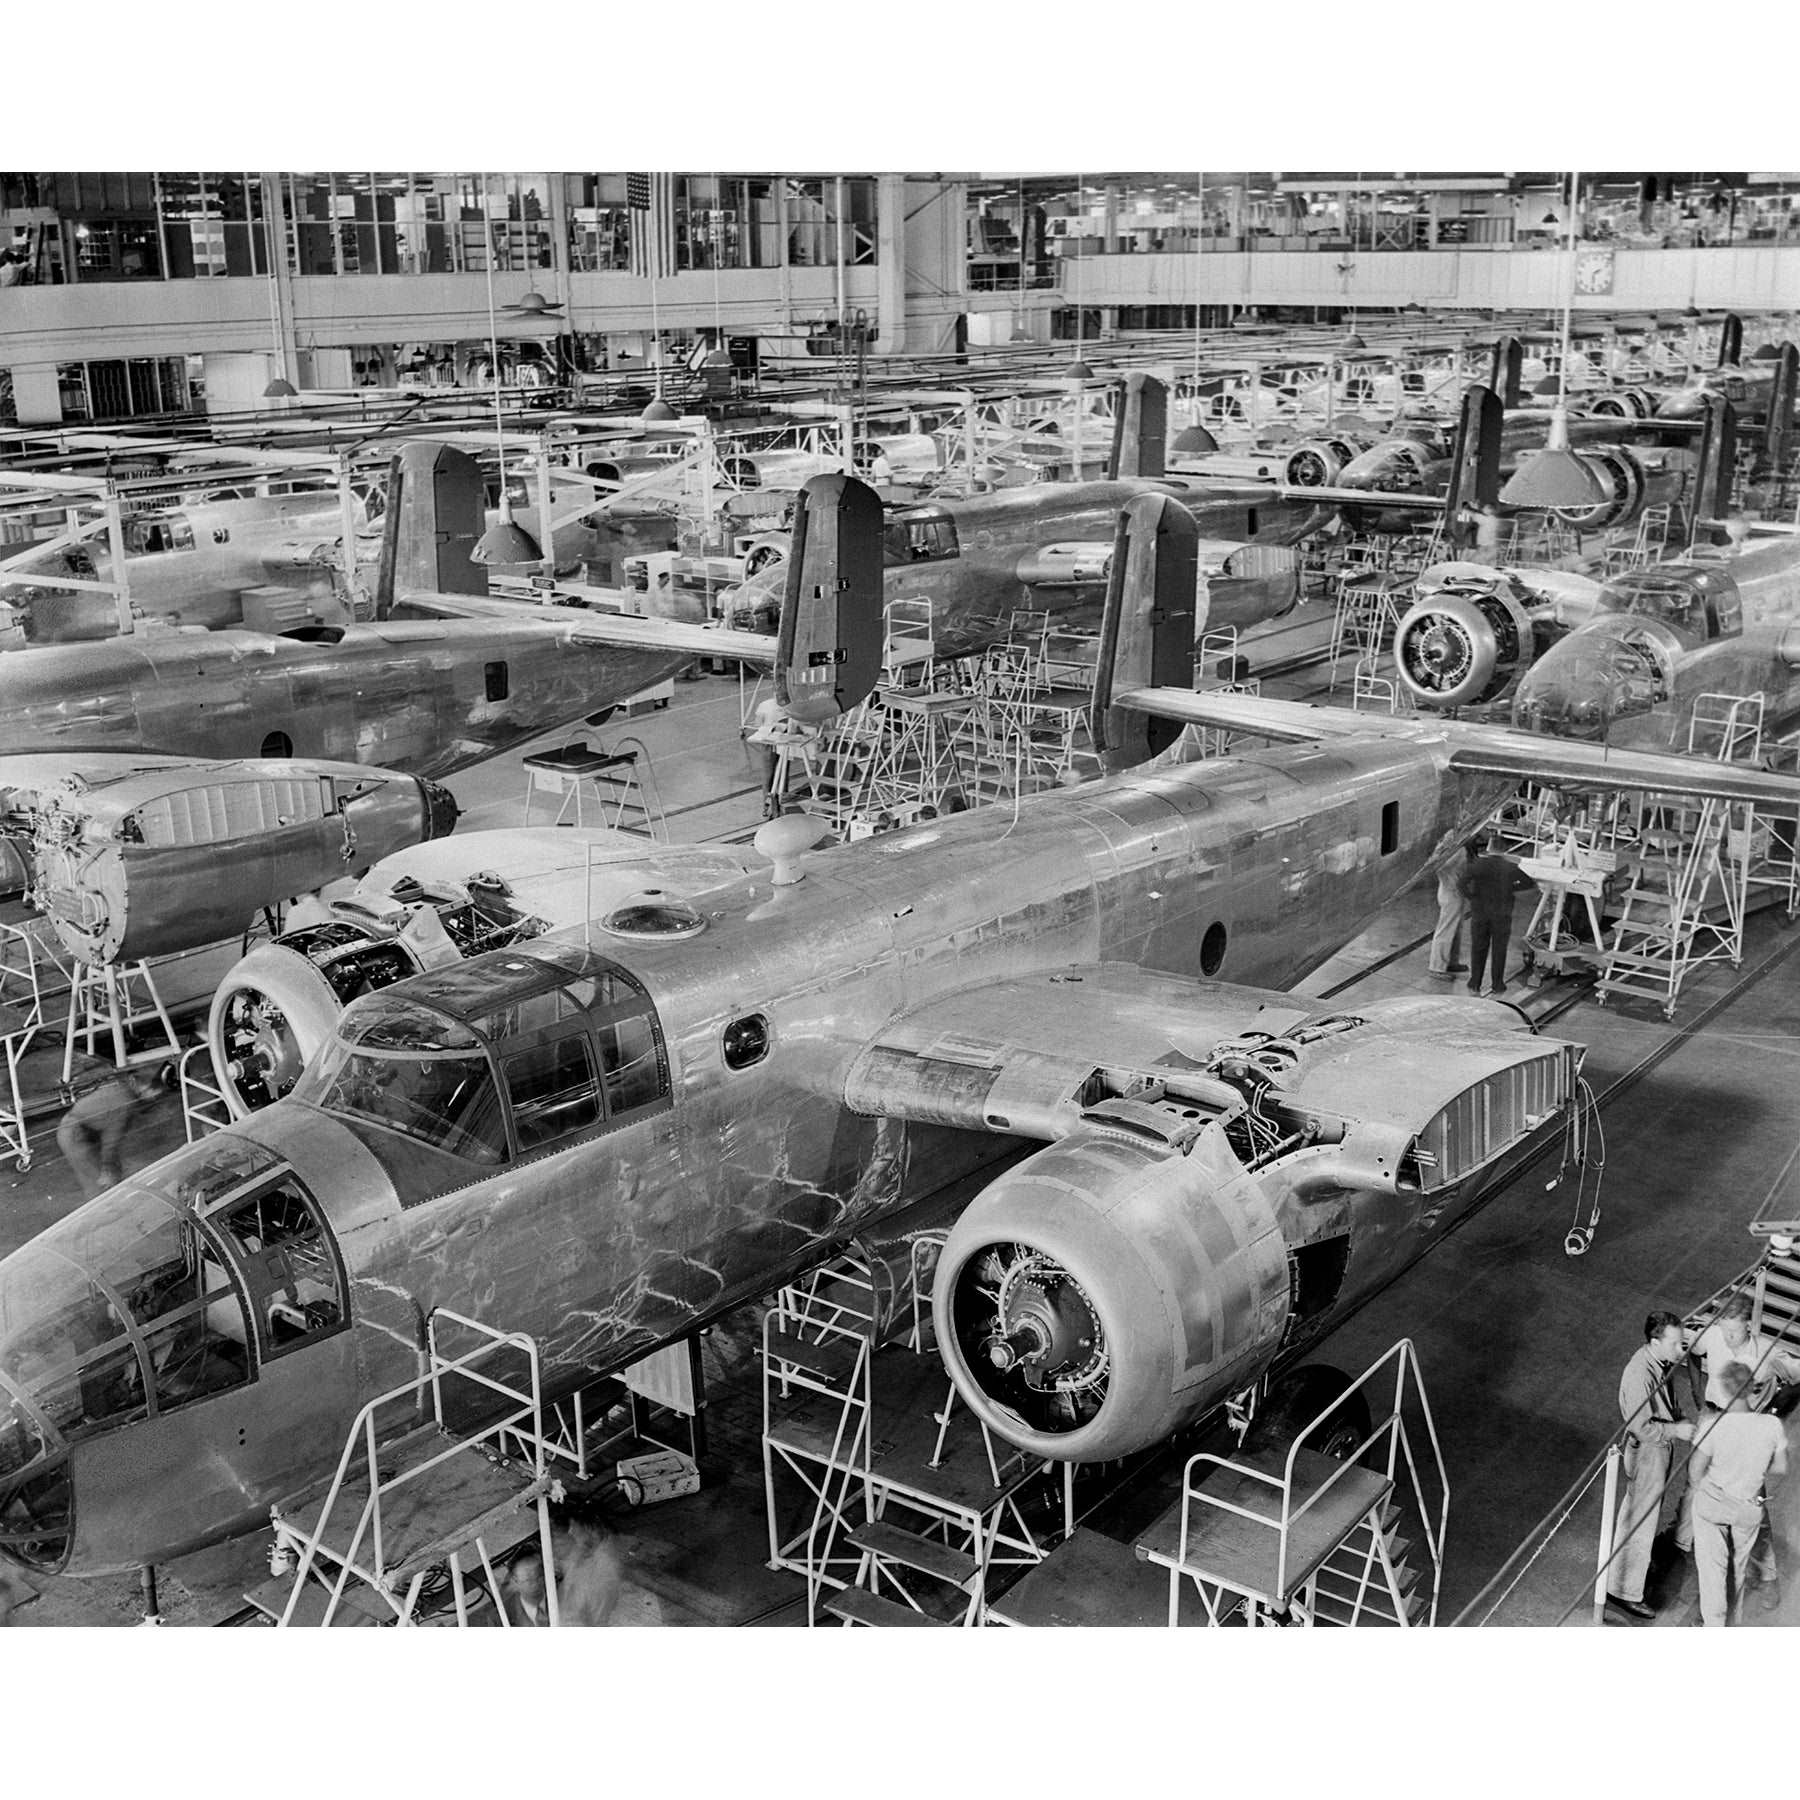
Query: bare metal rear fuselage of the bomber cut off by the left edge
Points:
[420, 697]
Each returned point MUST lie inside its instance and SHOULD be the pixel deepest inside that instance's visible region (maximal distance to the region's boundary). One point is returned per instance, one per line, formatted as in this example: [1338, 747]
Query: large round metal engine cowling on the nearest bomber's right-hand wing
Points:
[1111, 1288]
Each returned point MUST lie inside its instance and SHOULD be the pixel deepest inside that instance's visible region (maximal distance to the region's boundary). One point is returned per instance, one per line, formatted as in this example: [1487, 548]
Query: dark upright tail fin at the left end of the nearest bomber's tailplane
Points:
[1147, 631]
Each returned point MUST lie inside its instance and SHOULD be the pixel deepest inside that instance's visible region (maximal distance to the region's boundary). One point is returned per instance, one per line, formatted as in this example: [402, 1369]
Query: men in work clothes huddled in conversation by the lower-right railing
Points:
[1736, 1459]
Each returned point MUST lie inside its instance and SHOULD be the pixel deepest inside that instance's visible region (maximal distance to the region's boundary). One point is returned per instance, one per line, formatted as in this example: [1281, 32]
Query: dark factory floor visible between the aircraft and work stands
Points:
[1520, 1345]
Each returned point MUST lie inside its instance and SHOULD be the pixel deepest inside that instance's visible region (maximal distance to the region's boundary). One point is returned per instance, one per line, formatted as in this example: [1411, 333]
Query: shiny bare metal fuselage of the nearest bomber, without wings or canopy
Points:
[629, 1237]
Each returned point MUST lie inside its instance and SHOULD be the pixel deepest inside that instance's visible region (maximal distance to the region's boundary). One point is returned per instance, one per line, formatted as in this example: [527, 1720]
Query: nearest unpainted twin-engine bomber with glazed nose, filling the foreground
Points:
[609, 1135]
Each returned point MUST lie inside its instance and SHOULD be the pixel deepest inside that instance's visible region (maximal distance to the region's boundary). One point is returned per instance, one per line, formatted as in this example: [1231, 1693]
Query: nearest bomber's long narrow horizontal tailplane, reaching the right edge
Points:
[1475, 748]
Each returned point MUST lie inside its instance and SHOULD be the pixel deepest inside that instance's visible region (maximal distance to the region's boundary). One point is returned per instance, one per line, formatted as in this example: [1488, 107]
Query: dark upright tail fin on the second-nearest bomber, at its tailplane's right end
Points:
[832, 620]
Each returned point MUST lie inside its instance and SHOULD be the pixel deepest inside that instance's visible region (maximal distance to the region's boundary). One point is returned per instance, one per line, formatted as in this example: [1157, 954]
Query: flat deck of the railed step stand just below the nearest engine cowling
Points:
[1241, 1552]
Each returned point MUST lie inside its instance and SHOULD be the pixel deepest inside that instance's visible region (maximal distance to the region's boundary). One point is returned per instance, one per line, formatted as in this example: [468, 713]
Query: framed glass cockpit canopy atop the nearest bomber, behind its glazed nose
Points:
[508, 1056]
